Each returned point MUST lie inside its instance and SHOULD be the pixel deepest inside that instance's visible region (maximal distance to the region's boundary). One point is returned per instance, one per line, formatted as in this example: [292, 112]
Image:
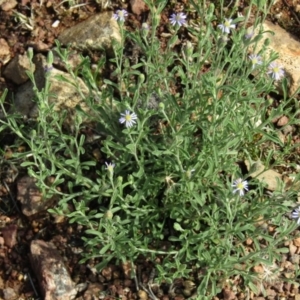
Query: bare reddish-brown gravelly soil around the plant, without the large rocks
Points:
[31, 24]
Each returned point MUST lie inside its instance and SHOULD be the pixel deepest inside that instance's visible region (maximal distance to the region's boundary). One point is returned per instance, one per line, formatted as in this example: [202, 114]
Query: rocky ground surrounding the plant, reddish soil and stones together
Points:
[39, 255]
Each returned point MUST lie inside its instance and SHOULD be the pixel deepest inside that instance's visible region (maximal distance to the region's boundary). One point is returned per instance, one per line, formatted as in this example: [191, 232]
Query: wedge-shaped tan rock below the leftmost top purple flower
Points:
[95, 33]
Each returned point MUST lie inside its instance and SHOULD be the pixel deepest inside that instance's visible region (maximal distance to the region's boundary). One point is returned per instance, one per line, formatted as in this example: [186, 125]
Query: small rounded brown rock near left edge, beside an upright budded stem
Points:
[16, 69]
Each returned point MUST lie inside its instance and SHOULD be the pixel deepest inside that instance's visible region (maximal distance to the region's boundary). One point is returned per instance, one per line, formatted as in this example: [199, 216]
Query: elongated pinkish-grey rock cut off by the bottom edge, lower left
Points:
[54, 279]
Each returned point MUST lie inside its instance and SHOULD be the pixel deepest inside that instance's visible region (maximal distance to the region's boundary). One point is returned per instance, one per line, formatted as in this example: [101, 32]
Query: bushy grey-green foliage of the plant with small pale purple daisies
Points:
[200, 112]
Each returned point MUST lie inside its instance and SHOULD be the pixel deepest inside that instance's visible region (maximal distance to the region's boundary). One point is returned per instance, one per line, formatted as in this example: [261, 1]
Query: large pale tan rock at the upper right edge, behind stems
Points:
[287, 46]
